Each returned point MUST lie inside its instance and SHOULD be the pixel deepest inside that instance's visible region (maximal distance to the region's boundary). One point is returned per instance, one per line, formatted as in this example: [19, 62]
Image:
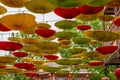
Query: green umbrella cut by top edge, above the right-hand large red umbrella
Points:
[97, 2]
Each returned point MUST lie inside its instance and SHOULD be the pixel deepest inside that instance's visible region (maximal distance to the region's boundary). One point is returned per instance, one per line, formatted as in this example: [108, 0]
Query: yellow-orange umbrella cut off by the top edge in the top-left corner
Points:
[14, 3]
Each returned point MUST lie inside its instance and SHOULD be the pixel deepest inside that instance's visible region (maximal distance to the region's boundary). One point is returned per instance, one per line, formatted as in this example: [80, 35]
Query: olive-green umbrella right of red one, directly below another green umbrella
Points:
[64, 34]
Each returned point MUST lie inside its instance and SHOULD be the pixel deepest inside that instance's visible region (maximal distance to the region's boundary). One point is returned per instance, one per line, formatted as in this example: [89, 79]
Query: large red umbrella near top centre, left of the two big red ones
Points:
[67, 13]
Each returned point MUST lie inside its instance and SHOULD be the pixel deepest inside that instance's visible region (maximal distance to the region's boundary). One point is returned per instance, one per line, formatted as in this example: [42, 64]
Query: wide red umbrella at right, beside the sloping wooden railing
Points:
[106, 49]
